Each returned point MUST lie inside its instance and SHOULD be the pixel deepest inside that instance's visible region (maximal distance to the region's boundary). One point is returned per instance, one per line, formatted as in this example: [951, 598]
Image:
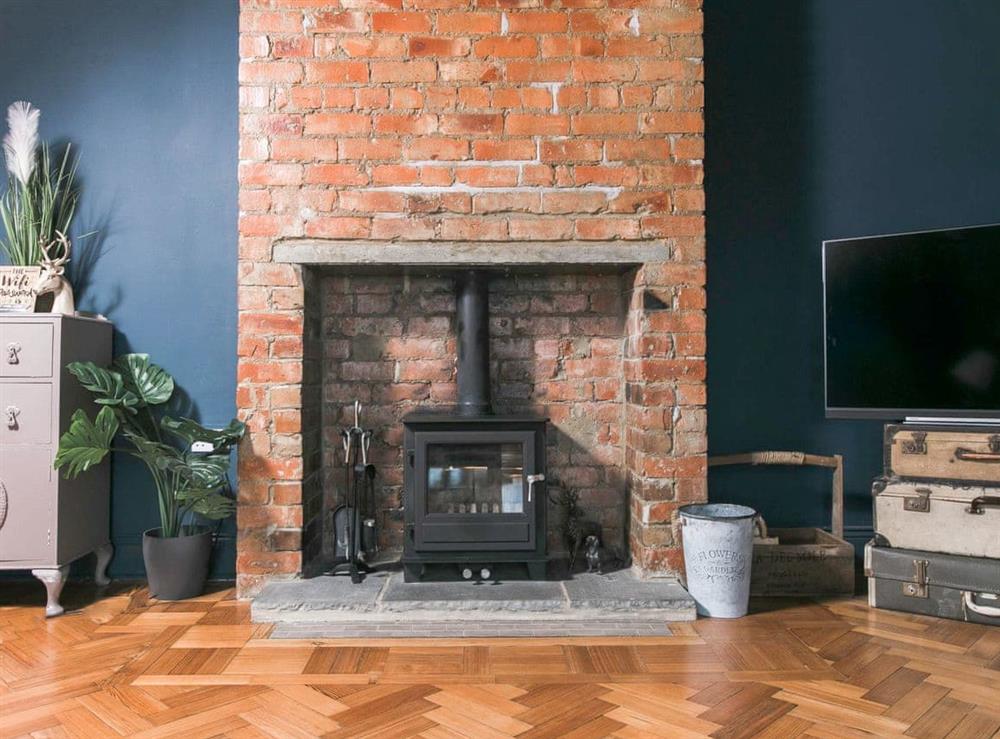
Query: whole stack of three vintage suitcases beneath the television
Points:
[936, 549]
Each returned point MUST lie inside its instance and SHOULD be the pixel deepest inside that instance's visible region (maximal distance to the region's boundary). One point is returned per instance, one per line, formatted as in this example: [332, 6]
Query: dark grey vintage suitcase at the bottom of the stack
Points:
[933, 584]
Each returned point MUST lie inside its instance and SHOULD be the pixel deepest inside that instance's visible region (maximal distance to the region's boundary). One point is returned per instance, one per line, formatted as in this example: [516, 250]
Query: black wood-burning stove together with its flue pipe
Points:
[474, 482]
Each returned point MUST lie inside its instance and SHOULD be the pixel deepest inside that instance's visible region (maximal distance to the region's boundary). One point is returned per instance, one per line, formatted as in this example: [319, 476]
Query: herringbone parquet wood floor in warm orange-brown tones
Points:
[123, 666]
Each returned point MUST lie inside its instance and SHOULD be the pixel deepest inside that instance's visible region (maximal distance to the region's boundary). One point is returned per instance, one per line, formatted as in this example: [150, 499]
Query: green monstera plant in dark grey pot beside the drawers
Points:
[189, 464]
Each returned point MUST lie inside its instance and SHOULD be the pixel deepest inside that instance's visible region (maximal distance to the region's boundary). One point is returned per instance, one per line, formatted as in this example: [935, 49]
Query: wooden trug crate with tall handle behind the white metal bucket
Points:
[800, 561]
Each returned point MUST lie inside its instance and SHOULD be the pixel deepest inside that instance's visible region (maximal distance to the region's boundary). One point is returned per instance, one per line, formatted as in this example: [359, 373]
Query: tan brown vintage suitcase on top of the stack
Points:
[945, 453]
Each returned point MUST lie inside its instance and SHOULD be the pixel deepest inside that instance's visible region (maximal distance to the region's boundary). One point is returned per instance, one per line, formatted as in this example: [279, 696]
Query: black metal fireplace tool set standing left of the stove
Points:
[355, 535]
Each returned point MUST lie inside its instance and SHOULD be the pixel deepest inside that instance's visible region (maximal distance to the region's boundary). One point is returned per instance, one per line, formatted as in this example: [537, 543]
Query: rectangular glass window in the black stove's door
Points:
[475, 478]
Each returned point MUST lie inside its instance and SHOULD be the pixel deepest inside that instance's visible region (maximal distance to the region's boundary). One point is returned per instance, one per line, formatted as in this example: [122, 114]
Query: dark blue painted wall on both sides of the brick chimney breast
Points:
[824, 120]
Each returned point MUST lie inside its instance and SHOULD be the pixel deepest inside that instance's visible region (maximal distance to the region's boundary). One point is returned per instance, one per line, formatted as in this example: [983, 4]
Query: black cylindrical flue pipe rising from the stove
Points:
[473, 314]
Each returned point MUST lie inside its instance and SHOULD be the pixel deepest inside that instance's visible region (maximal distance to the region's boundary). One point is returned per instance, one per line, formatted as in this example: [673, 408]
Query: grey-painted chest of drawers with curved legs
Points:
[47, 522]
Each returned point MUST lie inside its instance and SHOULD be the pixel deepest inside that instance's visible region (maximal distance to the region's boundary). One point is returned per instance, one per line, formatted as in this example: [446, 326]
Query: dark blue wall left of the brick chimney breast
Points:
[147, 91]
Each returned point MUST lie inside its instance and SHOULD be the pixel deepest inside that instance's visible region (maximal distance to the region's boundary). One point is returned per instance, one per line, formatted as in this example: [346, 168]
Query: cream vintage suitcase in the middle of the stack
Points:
[953, 518]
